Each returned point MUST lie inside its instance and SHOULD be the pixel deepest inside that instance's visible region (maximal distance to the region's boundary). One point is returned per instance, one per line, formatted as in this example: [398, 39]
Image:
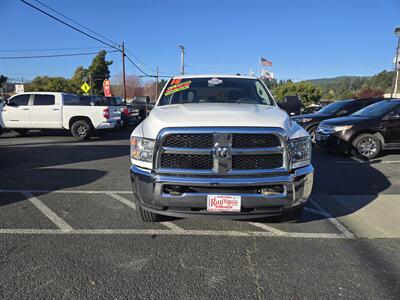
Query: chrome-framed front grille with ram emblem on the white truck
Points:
[221, 151]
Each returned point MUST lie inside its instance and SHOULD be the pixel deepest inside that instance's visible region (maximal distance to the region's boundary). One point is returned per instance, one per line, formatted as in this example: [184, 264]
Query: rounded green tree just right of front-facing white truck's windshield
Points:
[307, 92]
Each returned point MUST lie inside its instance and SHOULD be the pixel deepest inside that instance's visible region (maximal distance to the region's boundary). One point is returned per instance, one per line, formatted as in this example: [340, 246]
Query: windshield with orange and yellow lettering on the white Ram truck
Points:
[216, 90]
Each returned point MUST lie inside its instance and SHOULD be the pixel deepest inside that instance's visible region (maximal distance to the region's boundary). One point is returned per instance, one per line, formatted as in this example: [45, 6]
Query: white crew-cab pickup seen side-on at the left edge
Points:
[47, 110]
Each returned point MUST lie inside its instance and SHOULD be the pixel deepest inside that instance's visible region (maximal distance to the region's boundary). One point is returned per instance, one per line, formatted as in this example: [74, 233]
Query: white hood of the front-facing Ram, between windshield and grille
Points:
[217, 115]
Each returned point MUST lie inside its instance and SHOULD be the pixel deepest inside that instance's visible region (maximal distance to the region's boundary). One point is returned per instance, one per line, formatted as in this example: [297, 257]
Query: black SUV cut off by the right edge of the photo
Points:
[366, 132]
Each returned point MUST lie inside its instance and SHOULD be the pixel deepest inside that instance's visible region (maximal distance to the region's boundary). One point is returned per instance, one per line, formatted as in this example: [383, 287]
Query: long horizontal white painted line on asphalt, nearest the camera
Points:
[173, 232]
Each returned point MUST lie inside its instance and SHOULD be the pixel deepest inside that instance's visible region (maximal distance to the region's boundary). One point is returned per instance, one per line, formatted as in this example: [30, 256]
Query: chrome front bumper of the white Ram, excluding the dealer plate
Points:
[154, 193]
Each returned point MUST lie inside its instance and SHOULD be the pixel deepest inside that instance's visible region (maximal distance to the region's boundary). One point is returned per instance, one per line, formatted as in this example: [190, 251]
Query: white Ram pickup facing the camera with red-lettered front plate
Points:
[219, 146]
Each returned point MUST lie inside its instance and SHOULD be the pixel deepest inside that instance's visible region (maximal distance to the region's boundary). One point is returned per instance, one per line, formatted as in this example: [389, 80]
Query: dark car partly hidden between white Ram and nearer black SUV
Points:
[341, 108]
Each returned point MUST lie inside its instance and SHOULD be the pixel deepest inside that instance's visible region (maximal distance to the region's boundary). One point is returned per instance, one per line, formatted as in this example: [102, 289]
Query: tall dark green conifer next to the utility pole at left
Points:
[98, 71]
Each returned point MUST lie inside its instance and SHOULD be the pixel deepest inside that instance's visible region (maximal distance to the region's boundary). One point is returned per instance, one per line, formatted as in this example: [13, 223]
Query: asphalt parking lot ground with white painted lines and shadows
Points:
[69, 229]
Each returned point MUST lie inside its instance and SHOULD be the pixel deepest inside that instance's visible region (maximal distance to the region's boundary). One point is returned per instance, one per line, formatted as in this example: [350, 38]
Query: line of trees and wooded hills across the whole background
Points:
[310, 91]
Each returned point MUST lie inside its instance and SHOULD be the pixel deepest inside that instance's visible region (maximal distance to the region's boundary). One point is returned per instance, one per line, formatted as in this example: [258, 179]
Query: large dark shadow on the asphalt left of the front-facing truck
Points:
[29, 167]
